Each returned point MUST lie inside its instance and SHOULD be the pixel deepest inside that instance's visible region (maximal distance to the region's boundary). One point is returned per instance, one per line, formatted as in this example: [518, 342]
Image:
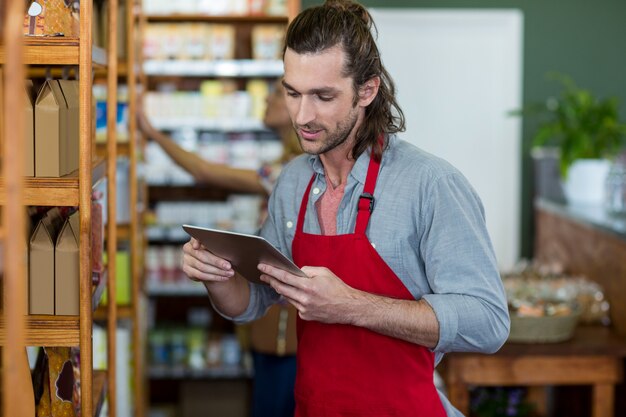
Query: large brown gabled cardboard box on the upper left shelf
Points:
[56, 129]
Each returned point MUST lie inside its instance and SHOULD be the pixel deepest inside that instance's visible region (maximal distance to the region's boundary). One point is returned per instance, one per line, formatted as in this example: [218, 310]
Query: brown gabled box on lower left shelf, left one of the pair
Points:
[41, 264]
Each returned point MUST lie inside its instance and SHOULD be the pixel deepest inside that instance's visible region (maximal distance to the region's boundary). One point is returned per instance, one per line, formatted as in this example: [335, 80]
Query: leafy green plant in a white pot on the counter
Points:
[587, 133]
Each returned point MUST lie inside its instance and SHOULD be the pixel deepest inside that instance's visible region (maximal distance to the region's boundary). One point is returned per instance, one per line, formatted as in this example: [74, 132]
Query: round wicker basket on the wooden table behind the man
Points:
[548, 329]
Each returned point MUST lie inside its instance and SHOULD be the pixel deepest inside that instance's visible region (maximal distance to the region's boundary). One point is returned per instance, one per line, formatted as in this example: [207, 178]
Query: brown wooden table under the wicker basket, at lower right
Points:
[593, 357]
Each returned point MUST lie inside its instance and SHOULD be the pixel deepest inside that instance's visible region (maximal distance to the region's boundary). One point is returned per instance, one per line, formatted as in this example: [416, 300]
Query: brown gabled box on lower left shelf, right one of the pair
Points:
[66, 269]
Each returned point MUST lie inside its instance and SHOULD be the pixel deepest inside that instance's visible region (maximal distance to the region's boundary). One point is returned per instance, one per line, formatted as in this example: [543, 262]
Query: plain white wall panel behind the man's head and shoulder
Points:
[458, 73]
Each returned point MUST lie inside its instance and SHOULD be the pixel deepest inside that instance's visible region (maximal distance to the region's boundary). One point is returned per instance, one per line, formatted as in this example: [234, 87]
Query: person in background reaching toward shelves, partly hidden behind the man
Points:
[273, 336]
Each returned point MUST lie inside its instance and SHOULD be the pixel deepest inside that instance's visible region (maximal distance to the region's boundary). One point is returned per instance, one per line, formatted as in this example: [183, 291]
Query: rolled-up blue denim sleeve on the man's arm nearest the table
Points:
[467, 293]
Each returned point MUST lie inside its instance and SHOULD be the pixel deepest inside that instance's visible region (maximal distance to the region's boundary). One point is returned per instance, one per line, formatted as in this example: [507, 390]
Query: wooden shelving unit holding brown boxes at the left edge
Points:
[16, 329]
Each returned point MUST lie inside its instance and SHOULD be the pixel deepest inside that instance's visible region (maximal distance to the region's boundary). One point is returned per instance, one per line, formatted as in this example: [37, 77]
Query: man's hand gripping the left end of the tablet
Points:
[201, 265]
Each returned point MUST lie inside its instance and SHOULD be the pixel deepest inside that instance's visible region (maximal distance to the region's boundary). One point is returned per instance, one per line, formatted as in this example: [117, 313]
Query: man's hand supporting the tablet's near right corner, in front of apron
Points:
[322, 296]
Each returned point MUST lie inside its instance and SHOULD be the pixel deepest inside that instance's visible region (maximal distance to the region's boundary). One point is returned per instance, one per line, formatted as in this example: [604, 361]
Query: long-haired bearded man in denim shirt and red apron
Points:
[393, 240]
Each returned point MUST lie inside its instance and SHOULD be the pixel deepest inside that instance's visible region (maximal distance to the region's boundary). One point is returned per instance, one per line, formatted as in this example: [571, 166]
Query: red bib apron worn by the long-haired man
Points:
[347, 370]
